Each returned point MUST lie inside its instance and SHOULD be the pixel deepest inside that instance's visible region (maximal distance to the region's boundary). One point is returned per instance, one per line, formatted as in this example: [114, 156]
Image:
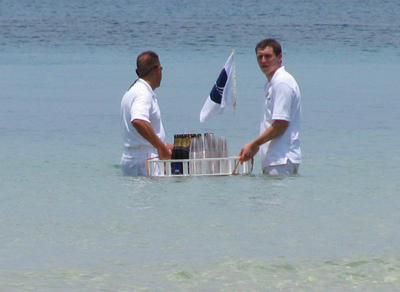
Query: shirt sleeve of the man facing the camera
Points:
[282, 102]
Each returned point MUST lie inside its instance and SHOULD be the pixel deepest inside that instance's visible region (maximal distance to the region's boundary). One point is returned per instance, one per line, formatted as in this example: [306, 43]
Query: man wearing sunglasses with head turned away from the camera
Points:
[142, 128]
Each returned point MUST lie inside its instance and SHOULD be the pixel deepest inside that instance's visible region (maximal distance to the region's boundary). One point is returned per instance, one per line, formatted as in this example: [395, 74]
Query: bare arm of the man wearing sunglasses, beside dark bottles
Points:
[145, 129]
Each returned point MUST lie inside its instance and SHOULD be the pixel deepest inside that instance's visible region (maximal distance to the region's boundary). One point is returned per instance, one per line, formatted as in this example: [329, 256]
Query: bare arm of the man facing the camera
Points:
[277, 128]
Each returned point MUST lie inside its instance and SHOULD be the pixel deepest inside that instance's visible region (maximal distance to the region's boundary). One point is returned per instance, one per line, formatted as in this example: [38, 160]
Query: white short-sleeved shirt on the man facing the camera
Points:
[282, 102]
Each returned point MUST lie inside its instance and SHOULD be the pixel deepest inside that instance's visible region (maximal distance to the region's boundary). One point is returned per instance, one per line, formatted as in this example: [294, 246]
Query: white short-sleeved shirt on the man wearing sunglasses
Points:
[140, 102]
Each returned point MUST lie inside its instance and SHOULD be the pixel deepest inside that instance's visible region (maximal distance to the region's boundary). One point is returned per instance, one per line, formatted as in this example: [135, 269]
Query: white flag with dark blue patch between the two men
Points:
[222, 93]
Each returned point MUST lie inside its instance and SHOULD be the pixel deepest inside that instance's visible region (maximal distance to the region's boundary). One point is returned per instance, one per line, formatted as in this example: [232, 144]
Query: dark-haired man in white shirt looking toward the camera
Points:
[278, 141]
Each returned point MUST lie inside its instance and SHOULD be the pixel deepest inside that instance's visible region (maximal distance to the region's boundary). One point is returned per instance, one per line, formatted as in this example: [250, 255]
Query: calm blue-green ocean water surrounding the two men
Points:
[71, 221]
